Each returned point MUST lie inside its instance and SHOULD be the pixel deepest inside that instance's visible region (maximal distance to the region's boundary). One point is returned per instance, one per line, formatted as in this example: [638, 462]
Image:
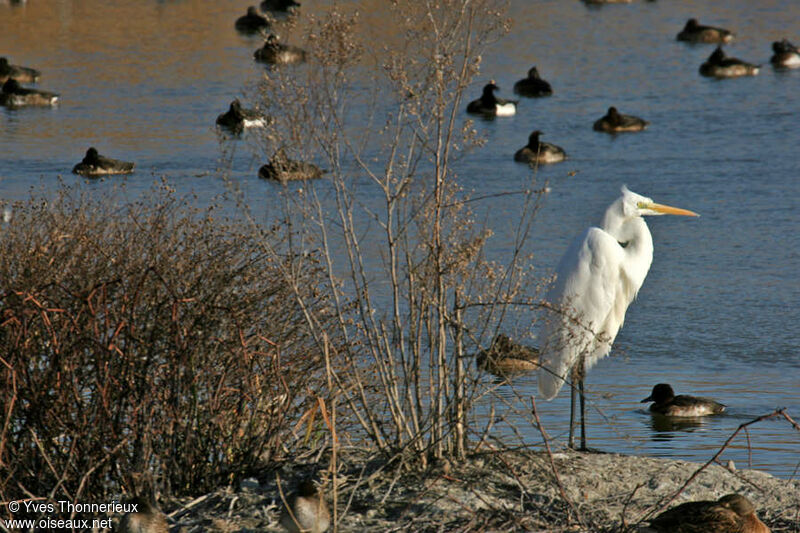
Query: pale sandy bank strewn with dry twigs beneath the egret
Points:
[504, 491]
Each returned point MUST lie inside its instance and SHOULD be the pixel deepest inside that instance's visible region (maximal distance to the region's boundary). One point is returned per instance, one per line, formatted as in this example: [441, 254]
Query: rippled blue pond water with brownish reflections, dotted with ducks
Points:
[718, 314]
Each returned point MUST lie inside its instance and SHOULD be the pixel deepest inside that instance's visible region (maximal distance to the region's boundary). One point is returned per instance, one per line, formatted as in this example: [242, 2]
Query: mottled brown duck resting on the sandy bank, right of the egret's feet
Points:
[733, 513]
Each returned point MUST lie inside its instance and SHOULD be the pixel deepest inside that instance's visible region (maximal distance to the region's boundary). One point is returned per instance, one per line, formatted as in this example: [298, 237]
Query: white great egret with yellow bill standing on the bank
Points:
[596, 280]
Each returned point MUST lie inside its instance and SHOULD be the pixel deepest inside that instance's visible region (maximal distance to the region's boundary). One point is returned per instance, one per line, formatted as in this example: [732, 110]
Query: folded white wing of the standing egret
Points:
[583, 297]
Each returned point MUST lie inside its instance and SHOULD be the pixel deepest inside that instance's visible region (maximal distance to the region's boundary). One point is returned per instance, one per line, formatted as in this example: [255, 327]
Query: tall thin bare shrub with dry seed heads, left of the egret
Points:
[399, 235]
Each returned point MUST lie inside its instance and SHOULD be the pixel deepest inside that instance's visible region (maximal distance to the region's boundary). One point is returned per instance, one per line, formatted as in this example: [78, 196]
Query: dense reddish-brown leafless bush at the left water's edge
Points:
[142, 346]
